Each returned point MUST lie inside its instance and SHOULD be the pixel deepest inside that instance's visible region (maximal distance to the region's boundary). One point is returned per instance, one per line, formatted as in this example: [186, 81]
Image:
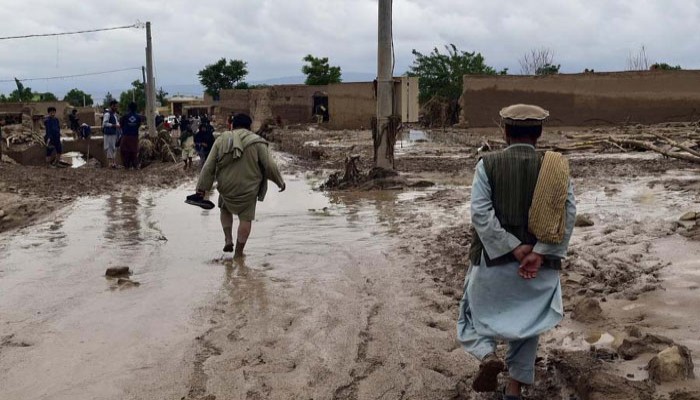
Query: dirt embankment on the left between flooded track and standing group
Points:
[30, 194]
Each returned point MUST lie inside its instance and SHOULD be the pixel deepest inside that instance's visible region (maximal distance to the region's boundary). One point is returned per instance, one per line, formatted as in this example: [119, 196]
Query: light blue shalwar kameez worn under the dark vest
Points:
[500, 305]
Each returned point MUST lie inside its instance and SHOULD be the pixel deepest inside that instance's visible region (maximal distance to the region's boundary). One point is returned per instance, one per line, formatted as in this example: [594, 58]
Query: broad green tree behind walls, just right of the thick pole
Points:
[442, 75]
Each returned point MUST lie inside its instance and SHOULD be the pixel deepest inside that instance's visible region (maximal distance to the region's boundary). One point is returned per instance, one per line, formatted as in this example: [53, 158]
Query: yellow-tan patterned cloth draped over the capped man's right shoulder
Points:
[547, 218]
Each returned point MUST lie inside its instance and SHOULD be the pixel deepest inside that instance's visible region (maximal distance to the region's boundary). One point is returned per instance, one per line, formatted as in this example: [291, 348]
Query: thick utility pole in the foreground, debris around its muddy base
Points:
[385, 88]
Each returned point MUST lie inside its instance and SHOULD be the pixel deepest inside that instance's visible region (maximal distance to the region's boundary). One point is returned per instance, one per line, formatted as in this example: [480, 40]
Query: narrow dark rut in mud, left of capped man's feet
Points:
[364, 366]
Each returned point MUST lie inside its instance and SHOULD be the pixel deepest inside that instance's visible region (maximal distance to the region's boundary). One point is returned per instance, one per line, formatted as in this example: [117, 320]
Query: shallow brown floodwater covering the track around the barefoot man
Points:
[69, 332]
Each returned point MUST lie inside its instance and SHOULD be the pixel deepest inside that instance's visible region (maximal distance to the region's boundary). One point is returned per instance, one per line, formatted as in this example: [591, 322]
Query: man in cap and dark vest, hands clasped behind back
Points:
[512, 288]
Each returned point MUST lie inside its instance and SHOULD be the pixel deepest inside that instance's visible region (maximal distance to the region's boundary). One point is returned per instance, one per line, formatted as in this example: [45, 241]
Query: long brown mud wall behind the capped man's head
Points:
[645, 97]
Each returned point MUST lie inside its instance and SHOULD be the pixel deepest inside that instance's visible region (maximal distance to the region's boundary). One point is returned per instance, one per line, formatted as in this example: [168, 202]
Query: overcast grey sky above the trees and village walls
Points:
[274, 35]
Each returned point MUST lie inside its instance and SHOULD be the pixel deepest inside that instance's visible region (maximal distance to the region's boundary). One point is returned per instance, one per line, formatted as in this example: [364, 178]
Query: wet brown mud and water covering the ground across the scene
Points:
[345, 294]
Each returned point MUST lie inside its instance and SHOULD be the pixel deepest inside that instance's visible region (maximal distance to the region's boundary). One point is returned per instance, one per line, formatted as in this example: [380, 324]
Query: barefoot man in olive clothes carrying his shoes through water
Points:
[241, 164]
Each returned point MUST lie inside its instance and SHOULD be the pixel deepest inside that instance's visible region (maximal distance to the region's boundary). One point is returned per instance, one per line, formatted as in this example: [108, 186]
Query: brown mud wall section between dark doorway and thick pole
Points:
[351, 105]
